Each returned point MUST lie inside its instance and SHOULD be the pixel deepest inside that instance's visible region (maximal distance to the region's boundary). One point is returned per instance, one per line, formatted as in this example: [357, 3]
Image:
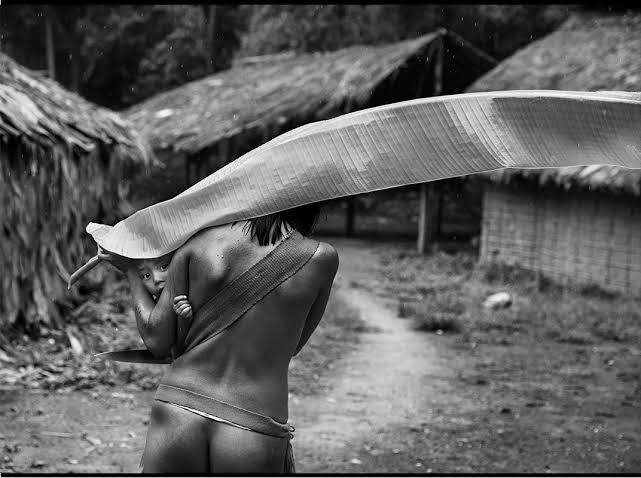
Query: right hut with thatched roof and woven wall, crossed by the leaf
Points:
[579, 224]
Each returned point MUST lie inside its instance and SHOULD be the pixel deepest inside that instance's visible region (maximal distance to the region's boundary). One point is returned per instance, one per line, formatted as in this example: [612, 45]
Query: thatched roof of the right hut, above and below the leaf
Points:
[589, 52]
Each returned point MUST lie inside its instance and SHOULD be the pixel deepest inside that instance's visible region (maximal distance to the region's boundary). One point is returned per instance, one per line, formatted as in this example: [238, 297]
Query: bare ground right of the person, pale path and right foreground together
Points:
[414, 402]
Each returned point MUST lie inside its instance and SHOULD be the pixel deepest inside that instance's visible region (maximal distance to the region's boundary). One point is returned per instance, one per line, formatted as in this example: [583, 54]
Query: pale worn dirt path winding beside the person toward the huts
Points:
[395, 379]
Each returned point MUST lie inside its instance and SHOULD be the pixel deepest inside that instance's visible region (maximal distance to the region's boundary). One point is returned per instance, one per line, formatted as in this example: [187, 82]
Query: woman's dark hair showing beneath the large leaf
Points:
[268, 229]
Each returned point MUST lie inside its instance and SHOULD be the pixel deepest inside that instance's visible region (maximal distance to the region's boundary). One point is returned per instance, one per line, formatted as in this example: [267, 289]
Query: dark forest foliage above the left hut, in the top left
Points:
[117, 55]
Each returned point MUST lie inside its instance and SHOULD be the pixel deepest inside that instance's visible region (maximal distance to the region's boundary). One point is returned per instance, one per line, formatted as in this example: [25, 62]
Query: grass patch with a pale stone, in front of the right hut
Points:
[454, 286]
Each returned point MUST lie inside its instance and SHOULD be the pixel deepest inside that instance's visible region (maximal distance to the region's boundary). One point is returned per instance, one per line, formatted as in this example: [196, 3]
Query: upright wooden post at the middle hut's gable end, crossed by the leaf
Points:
[429, 202]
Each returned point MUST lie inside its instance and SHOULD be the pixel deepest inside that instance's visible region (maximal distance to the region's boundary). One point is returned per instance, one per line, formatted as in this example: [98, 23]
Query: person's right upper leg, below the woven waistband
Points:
[234, 450]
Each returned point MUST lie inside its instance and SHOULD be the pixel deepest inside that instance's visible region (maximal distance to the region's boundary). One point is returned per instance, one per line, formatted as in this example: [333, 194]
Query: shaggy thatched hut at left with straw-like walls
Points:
[62, 164]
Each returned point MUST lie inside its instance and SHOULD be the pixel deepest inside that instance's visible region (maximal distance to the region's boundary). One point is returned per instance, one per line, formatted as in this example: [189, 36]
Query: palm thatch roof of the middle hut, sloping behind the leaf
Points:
[272, 94]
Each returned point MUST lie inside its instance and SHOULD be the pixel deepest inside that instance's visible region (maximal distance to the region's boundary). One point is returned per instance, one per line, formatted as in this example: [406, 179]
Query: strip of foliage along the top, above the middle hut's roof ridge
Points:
[497, 29]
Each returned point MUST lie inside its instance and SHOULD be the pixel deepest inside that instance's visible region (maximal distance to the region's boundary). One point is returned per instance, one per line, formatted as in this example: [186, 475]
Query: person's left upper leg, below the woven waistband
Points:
[177, 441]
